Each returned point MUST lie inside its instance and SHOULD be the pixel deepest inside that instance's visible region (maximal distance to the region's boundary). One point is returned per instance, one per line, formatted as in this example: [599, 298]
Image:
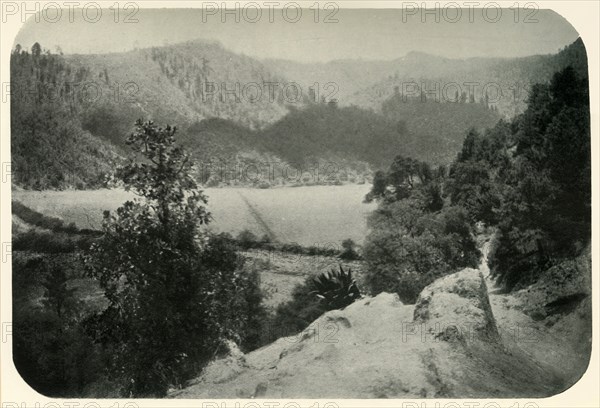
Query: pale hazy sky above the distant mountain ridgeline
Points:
[367, 34]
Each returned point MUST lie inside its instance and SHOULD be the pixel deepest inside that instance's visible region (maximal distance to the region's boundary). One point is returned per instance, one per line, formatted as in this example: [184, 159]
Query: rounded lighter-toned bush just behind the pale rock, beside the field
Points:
[407, 248]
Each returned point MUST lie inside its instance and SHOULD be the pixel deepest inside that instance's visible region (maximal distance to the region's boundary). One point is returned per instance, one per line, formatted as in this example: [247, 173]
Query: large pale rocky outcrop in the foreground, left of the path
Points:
[445, 346]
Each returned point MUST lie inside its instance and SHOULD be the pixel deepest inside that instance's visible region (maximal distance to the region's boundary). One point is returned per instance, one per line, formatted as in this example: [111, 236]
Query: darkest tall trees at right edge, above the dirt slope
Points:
[545, 213]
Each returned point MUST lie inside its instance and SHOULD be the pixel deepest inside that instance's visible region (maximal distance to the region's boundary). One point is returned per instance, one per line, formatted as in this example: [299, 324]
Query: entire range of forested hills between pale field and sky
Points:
[71, 114]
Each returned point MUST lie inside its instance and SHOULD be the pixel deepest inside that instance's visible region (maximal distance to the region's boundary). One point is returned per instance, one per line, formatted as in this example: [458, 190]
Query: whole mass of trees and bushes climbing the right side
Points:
[530, 179]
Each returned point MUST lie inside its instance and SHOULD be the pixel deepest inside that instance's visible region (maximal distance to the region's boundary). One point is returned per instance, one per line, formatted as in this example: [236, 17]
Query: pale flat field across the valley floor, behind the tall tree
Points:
[316, 215]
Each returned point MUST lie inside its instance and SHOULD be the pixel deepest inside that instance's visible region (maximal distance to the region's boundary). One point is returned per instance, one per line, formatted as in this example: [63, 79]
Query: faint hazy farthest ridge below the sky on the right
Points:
[368, 83]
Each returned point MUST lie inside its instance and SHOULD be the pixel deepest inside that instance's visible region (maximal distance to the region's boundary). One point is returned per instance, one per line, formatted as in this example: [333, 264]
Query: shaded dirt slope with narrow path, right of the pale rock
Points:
[548, 322]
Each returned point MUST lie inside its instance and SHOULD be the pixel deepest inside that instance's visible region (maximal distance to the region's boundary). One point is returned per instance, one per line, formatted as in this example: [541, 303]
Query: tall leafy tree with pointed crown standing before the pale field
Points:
[175, 293]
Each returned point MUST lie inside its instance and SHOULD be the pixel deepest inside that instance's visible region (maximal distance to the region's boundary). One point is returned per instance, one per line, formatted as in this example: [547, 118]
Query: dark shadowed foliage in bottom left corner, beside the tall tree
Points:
[51, 350]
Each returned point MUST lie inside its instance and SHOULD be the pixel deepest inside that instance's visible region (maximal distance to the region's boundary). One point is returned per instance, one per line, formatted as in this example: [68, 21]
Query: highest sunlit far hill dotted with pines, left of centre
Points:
[188, 82]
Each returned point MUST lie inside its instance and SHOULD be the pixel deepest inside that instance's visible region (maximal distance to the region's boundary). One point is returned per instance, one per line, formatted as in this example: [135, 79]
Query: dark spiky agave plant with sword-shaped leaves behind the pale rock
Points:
[337, 289]
